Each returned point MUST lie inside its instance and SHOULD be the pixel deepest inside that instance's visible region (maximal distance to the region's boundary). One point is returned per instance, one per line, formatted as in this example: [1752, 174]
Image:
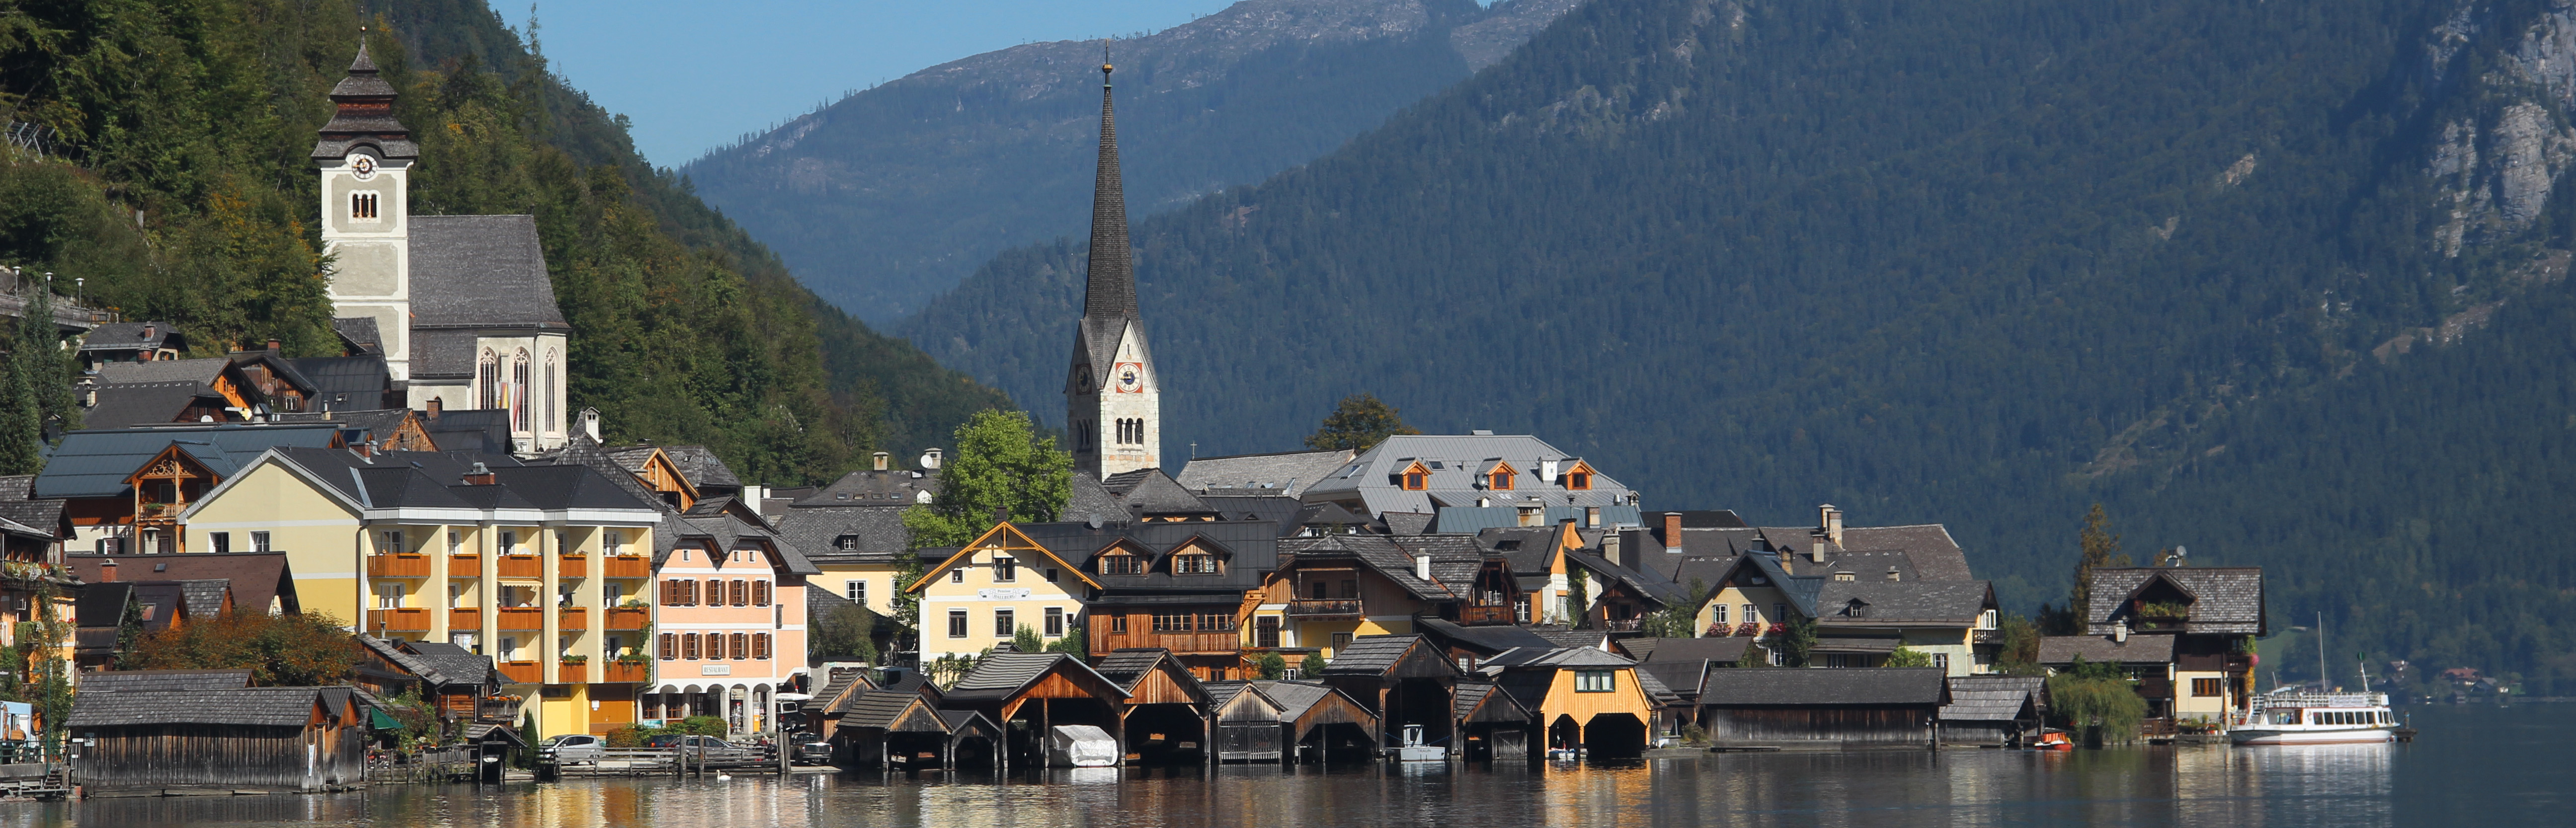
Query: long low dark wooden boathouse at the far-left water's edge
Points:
[179, 732]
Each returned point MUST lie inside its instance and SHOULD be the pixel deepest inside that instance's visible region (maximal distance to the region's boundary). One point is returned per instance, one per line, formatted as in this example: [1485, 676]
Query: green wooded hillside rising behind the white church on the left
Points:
[164, 158]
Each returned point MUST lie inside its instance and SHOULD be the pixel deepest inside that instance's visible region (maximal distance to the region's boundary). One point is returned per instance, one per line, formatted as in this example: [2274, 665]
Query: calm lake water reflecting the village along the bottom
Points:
[2472, 768]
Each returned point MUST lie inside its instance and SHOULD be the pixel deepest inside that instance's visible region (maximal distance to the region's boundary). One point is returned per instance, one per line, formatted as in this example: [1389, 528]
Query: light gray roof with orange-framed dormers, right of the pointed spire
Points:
[1462, 459]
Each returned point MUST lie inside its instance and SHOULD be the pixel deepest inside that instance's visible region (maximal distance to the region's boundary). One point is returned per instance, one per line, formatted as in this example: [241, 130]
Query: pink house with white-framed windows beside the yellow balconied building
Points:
[730, 618]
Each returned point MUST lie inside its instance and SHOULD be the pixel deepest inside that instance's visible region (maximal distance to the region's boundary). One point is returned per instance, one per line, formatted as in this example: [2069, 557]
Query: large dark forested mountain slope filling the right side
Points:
[2284, 284]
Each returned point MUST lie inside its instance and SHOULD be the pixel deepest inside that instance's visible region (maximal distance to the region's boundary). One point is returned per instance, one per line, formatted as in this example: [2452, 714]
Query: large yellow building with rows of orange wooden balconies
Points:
[540, 567]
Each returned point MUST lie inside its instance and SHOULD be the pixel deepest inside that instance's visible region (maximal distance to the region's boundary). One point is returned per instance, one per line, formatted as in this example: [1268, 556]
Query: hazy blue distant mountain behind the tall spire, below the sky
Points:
[895, 194]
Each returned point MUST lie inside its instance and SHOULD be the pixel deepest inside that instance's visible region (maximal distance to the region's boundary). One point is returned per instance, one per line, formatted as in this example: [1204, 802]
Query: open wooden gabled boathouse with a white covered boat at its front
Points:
[1034, 693]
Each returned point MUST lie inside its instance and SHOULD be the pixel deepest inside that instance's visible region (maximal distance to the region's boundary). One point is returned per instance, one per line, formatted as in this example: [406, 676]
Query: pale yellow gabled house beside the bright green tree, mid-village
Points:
[993, 588]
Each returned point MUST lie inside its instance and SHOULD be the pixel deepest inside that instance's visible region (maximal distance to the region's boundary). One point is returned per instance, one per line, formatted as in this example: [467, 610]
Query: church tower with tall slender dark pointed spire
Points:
[1114, 397]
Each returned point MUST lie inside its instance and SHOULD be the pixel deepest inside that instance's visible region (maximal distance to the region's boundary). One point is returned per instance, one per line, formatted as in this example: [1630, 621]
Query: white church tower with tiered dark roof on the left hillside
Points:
[367, 163]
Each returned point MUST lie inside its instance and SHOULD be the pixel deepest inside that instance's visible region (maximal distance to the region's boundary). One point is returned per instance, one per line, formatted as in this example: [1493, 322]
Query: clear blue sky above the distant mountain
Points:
[697, 76]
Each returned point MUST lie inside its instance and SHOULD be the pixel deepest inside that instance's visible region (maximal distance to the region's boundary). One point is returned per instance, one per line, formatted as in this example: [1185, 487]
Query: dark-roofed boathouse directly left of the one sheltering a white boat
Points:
[903, 726]
